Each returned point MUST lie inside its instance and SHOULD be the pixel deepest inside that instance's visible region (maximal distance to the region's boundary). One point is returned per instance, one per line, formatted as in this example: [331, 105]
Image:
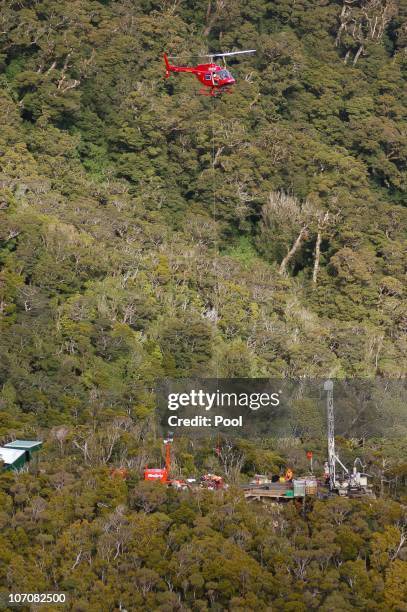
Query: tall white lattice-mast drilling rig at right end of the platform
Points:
[352, 484]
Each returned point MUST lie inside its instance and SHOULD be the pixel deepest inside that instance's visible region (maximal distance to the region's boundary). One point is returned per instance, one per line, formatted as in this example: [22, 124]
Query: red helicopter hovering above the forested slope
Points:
[217, 78]
